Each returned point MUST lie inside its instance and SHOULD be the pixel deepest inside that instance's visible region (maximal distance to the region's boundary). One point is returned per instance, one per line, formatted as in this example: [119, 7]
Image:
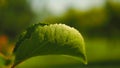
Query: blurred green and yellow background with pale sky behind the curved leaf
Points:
[97, 20]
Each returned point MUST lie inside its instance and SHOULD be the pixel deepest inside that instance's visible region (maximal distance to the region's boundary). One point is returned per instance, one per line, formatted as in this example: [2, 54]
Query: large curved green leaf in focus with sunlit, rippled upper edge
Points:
[54, 39]
